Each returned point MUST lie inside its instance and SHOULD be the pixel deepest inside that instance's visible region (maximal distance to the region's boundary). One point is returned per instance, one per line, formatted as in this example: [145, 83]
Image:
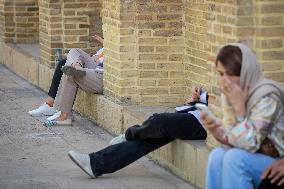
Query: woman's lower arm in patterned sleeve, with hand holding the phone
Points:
[250, 133]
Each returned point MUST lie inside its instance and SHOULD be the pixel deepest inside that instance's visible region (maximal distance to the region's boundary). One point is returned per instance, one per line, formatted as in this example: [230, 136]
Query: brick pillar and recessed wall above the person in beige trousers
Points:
[68, 24]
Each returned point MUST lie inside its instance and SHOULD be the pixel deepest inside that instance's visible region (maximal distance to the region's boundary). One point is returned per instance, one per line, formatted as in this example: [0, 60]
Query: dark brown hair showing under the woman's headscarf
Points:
[231, 58]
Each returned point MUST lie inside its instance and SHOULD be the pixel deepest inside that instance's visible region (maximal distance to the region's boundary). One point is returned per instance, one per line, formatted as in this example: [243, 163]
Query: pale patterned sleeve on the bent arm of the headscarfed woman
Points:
[250, 133]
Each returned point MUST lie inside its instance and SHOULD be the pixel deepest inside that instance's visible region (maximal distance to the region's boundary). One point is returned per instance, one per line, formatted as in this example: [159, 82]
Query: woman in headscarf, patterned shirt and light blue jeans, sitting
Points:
[252, 130]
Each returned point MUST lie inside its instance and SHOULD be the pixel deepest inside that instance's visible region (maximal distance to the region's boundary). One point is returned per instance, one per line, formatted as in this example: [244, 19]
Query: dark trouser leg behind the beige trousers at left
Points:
[56, 79]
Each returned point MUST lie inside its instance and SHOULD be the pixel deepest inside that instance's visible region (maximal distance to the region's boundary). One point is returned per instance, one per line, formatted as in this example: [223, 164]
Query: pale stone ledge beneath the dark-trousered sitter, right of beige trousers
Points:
[187, 159]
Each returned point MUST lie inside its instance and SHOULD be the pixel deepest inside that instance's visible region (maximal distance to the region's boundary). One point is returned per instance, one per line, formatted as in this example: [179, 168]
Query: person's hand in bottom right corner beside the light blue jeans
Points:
[275, 172]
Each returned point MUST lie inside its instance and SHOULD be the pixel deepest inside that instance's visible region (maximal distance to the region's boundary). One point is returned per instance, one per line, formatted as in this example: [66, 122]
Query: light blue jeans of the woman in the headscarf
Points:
[235, 168]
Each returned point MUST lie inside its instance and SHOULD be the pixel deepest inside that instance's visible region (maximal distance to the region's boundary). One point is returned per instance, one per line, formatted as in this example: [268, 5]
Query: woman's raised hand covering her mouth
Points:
[236, 96]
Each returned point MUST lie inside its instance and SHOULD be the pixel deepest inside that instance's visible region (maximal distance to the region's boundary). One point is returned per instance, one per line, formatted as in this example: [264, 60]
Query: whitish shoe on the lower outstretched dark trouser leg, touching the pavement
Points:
[83, 161]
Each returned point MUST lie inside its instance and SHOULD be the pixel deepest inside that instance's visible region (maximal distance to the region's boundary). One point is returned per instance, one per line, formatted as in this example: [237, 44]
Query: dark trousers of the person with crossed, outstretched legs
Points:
[157, 131]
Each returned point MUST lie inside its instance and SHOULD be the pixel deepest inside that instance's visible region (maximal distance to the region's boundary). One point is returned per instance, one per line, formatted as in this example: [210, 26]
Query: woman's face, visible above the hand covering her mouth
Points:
[224, 75]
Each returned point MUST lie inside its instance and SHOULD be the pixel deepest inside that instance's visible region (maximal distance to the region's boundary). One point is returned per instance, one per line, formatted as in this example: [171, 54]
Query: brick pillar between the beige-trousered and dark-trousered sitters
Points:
[120, 76]
